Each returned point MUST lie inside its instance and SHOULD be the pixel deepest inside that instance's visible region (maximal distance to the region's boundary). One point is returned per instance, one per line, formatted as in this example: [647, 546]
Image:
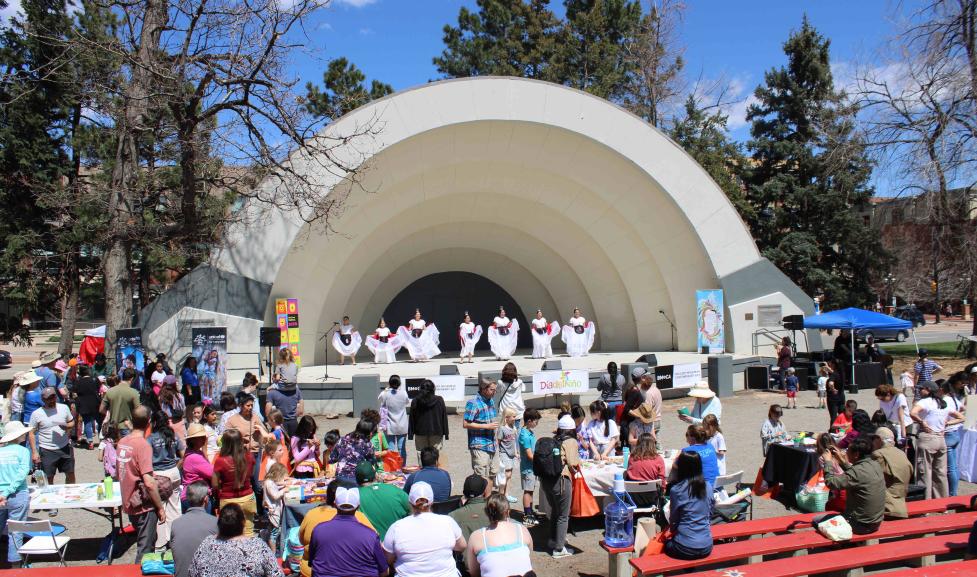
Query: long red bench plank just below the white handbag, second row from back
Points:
[799, 543]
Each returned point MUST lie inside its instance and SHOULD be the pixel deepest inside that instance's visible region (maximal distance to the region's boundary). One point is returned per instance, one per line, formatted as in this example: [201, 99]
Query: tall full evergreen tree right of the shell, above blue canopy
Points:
[809, 177]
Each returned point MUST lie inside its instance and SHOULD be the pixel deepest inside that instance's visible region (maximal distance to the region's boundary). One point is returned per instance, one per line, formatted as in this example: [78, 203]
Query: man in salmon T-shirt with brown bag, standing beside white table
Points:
[135, 460]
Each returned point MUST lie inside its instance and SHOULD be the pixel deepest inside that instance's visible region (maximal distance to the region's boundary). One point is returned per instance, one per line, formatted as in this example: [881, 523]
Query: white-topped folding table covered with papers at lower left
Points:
[84, 496]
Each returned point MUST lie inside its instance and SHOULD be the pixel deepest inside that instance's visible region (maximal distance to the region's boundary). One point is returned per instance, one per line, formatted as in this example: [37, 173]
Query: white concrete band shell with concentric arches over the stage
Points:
[561, 198]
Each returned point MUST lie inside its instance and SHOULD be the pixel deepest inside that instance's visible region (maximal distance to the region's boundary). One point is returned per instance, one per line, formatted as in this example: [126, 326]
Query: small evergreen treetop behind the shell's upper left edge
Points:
[343, 90]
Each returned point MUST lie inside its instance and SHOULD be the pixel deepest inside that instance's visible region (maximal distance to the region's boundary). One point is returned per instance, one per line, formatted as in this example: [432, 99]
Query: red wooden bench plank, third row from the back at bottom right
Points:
[847, 558]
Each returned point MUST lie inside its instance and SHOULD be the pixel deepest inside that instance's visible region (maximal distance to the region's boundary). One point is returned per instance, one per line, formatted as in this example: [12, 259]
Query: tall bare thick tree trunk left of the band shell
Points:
[125, 194]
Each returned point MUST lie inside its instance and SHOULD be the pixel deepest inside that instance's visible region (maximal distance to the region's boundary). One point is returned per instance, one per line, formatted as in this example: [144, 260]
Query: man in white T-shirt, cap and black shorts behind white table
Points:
[50, 445]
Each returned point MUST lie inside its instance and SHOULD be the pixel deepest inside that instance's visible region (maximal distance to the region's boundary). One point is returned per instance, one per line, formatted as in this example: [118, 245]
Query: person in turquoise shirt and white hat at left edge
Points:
[15, 466]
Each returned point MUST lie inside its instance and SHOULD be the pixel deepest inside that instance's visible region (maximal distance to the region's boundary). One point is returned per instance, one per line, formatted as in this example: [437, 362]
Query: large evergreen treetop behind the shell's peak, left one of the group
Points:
[502, 38]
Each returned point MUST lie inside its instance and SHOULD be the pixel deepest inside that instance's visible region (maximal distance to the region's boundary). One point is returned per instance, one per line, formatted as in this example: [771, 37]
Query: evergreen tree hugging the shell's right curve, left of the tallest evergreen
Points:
[702, 133]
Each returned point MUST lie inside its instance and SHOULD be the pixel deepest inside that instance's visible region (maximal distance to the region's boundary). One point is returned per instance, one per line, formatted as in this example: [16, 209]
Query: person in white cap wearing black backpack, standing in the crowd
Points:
[555, 461]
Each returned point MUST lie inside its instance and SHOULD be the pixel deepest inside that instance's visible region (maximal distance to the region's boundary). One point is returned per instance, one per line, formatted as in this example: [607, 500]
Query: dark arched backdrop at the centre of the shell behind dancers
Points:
[443, 299]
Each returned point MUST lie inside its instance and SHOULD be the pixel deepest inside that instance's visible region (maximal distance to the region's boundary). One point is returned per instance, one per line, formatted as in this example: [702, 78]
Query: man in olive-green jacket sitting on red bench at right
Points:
[862, 478]
